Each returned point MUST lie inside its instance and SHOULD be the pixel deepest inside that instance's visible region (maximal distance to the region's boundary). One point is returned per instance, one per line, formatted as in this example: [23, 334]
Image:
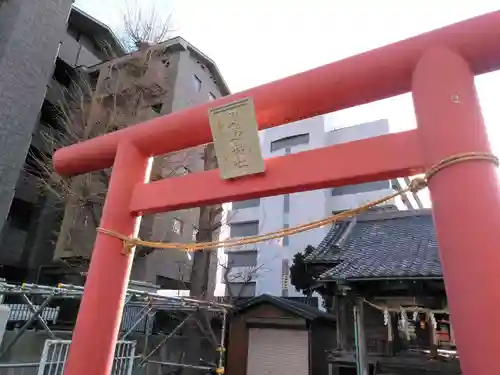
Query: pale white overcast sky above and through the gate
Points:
[255, 42]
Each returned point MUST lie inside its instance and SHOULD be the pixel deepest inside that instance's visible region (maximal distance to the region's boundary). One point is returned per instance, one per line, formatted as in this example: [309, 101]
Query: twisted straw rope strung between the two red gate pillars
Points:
[415, 185]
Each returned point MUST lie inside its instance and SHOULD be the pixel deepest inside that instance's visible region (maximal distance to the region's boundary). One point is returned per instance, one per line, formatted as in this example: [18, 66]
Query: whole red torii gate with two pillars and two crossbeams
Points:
[437, 67]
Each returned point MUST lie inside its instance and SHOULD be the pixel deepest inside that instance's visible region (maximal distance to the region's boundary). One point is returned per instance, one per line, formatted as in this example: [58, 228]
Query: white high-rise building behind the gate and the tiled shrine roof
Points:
[272, 260]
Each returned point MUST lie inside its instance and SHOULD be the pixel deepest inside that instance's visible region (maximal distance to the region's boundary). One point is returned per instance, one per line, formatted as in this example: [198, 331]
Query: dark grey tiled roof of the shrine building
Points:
[393, 244]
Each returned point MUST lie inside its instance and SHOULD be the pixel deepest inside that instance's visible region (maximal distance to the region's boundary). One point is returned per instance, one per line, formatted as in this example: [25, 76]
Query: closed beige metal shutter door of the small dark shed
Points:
[278, 352]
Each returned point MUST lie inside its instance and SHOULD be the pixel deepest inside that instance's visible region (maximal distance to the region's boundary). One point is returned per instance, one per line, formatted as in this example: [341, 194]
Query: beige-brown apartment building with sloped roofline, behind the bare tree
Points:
[178, 76]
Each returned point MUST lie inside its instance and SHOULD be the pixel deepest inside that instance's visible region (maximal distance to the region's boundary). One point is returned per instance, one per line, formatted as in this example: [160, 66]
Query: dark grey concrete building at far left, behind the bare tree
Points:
[32, 35]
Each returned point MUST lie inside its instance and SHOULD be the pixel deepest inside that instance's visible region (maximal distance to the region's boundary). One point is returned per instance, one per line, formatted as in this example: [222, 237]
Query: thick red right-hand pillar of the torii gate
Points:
[464, 195]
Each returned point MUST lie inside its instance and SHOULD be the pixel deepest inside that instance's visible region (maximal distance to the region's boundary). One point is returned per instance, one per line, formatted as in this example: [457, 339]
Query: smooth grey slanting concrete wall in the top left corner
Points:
[30, 34]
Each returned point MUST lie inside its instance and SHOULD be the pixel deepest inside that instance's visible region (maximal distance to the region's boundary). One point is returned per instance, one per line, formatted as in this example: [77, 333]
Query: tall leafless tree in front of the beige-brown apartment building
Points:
[126, 90]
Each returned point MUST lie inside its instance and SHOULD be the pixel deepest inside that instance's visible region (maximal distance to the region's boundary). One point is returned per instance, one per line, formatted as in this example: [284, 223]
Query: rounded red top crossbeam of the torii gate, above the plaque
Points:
[371, 76]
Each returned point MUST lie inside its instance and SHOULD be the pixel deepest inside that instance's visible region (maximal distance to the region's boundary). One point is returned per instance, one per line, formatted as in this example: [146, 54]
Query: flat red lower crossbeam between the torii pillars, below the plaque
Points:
[377, 158]
